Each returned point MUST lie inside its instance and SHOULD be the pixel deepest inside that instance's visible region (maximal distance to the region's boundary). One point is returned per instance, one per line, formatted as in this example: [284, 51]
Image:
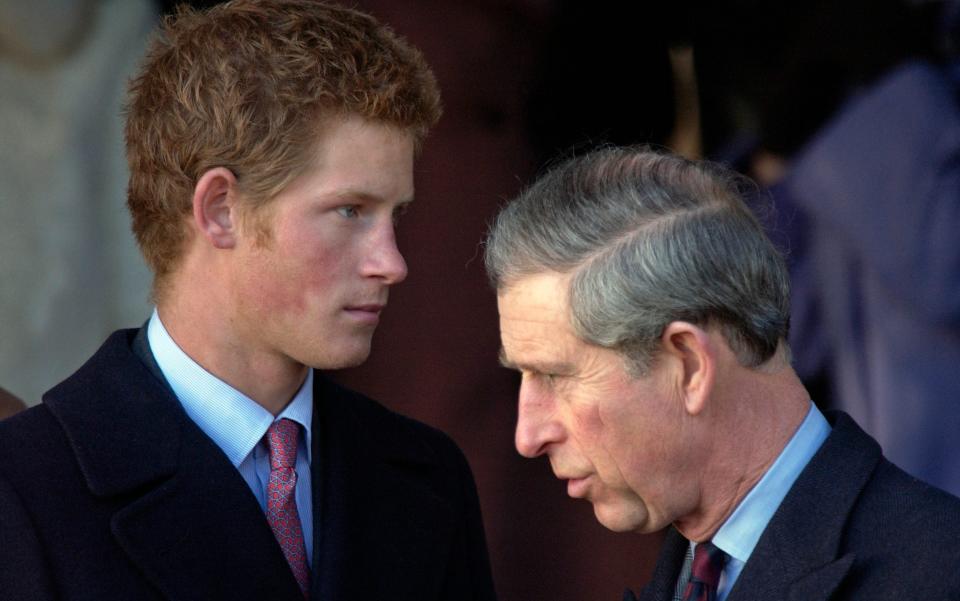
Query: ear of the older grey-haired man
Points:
[694, 353]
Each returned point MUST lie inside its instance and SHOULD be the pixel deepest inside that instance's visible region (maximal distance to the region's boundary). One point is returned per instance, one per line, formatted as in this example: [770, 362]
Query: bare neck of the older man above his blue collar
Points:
[750, 429]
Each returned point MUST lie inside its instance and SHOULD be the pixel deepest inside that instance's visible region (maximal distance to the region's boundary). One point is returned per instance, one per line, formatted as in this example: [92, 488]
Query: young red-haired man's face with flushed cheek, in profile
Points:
[315, 290]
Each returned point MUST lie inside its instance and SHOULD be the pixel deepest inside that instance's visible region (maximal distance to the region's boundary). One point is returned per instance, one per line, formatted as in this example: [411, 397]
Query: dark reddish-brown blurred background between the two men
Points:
[435, 353]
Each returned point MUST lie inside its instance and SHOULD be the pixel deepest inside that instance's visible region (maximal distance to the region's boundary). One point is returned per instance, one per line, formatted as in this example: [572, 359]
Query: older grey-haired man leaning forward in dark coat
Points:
[647, 312]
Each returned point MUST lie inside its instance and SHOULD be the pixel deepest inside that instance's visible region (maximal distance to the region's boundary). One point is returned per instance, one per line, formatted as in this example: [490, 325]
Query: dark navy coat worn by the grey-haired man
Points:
[853, 527]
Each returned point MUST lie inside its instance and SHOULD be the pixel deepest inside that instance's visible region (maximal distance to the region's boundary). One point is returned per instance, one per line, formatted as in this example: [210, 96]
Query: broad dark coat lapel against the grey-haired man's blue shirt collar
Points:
[797, 556]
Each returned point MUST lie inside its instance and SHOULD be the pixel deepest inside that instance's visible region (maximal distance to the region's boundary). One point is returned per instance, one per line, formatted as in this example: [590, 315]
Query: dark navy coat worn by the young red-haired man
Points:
[109, 491]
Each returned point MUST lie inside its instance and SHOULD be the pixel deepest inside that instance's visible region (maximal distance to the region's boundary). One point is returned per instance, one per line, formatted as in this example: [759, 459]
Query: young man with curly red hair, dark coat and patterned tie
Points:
[204, 456]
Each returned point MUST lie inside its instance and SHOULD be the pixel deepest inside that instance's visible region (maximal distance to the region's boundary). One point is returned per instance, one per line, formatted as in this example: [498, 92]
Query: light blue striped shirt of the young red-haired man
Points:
[237, 423]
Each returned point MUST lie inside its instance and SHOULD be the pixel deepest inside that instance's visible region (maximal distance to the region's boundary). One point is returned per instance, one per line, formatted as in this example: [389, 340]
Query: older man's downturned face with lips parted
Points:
[618, 441]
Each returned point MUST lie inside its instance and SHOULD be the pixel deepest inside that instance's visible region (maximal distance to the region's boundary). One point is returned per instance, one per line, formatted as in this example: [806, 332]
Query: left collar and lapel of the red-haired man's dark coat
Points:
[184, 515]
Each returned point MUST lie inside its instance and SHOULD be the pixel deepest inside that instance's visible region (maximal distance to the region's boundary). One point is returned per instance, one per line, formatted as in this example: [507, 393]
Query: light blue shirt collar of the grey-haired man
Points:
[739, 534]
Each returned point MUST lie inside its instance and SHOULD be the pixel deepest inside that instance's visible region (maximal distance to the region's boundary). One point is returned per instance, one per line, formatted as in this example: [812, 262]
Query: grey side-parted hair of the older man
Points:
[649, 238]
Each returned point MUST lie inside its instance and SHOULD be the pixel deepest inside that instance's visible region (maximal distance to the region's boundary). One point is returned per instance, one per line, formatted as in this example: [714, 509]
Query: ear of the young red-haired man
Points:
[215, 210]
